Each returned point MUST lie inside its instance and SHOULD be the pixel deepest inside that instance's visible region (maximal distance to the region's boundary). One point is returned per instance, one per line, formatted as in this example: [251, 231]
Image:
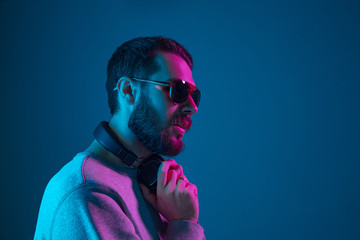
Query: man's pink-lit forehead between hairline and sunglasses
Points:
[172, 67]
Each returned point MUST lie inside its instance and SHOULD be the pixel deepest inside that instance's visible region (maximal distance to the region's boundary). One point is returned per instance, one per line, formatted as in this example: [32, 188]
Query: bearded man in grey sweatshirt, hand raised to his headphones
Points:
[151, 94]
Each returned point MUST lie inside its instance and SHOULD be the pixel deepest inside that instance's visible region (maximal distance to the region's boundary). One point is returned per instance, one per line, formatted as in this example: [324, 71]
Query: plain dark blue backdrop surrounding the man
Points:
[275, 146]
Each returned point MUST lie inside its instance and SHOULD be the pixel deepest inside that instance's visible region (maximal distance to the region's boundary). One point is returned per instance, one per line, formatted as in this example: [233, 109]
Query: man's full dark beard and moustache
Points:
[147, 126]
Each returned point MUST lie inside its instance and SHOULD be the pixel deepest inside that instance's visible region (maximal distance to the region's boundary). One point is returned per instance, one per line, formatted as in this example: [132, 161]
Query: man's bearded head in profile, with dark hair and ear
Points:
[155, 120]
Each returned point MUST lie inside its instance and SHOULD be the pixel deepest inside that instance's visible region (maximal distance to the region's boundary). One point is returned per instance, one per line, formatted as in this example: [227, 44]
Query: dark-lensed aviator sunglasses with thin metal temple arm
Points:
[180, 90]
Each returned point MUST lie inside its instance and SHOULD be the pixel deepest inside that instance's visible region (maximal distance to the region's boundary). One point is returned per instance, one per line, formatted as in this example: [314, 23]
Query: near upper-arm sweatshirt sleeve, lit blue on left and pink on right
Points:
[91, 214]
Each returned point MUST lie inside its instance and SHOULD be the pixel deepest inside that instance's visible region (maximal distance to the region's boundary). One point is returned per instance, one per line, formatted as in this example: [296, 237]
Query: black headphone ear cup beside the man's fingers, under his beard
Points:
[148, 172]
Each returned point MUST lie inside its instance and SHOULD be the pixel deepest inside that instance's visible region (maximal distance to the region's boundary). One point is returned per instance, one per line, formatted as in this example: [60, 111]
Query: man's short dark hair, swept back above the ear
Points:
[134, 58]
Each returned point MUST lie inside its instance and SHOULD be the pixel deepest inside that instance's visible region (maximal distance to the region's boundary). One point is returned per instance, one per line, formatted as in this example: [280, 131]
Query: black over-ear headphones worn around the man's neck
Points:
[147, 171]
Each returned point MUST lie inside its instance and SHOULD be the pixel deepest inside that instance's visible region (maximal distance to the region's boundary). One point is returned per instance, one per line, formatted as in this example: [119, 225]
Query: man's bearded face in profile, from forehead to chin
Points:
[156, 121]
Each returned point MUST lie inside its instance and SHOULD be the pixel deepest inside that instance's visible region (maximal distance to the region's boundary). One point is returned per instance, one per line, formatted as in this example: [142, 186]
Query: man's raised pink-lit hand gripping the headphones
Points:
[176, 198]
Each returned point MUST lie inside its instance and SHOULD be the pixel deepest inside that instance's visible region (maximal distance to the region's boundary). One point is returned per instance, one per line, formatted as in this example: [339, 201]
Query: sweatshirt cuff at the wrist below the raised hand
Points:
[184, 230]
